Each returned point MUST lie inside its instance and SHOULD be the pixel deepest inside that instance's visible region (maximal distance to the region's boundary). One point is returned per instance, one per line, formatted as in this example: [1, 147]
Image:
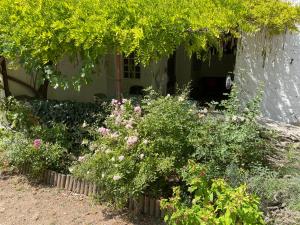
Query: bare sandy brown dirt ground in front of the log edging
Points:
[25, 204]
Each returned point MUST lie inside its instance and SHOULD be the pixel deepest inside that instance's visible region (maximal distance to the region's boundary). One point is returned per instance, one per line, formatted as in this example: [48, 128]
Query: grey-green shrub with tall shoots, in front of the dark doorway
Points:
[233, 139]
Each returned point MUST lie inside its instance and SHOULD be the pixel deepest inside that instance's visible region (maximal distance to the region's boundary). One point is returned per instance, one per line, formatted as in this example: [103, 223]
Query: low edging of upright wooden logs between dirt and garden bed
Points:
[143, 206]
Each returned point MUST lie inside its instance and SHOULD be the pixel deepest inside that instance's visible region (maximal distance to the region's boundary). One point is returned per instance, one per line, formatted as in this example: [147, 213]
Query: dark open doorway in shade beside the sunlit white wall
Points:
[211, 79]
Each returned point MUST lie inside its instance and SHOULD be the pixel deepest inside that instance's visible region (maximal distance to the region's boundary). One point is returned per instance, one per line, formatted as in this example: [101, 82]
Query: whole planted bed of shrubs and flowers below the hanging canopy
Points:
[207, 167]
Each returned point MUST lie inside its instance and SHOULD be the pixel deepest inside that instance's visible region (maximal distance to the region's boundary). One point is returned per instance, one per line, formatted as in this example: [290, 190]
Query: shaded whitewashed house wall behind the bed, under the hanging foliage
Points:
[103, 79]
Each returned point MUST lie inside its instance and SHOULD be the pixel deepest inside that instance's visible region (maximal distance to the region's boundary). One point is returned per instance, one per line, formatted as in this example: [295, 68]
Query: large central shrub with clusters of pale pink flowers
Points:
[140, 148]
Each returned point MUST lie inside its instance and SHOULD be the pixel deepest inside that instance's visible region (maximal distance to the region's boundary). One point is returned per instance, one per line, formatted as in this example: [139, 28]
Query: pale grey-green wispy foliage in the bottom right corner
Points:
[279, 188]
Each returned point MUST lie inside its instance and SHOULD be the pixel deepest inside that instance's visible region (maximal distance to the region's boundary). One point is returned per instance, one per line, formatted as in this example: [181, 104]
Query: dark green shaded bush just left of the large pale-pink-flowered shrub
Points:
[70, 120]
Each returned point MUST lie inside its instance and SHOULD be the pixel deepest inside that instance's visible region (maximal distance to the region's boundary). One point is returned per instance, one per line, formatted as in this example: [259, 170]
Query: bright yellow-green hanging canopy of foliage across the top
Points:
[38, 34]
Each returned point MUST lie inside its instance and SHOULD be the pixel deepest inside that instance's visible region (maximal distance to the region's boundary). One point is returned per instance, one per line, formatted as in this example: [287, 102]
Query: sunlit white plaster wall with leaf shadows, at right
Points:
[273, 62]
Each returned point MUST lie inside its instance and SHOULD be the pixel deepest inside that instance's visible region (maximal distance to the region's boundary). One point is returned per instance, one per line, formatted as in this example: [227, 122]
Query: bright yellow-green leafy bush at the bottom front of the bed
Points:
[210, 202]
